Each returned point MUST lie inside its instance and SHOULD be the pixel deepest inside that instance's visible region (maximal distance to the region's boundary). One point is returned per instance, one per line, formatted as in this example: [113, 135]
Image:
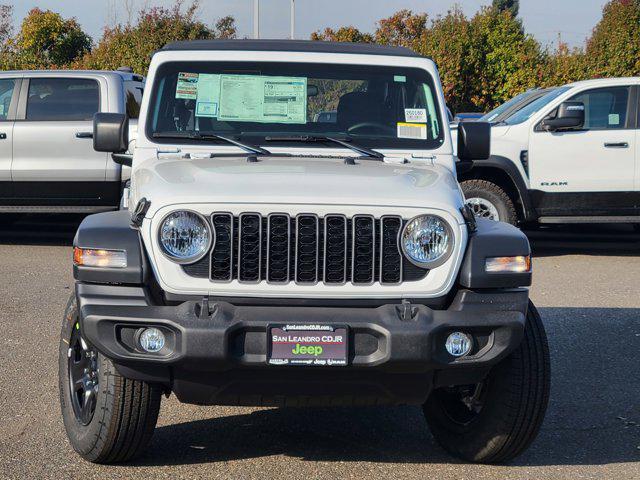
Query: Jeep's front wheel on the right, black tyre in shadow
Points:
[496, 420]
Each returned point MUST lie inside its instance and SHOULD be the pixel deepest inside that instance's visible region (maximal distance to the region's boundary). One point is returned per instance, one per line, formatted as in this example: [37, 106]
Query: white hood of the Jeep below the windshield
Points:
[293, 180]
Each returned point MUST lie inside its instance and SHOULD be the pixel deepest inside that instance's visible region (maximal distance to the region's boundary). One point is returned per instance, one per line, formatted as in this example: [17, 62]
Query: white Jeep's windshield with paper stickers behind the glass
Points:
[373, 106]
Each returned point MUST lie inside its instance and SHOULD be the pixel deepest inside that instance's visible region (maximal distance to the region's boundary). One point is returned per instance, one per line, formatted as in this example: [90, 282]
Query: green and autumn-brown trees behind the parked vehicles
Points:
[483, 60]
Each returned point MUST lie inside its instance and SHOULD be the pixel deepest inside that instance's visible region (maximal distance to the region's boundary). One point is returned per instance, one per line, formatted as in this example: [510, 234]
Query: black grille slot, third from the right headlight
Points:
[335, 249]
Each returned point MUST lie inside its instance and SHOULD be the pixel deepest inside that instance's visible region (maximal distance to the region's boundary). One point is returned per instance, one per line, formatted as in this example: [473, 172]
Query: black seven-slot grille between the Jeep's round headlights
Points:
[306, 249]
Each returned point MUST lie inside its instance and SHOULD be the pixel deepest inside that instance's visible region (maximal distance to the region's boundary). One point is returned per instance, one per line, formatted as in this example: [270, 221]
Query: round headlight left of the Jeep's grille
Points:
[184, 236]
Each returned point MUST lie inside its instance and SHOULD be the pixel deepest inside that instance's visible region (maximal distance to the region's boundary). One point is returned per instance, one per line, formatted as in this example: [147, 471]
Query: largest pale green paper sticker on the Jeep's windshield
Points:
[252, 98]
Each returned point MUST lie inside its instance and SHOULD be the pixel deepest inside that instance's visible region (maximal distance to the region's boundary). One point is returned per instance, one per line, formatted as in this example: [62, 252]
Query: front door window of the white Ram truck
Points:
[604, 108]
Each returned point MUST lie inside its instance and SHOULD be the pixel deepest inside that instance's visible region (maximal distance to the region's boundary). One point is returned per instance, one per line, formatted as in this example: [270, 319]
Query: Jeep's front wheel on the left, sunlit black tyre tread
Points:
[108, 418]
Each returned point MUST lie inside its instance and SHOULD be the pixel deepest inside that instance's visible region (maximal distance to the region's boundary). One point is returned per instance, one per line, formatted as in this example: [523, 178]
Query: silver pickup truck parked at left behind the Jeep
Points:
[47, 160]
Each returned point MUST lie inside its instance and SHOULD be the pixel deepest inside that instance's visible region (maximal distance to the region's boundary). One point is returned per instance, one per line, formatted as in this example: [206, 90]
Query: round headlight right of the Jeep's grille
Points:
[427, 241]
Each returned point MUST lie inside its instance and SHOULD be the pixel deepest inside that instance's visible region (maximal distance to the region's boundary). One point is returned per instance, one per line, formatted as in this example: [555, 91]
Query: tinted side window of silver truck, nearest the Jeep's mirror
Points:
[62, 99]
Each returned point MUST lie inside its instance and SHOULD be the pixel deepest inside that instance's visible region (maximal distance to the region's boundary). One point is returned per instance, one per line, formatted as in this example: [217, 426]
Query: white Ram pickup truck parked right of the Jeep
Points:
[571, 156]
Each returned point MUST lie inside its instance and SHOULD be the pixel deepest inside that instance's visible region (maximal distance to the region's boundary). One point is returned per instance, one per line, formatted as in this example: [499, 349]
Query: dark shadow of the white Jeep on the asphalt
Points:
[593, 416]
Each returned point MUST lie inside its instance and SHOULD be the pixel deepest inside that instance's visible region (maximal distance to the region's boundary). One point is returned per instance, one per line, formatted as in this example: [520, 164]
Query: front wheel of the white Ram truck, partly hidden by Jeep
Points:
[488, 200]
